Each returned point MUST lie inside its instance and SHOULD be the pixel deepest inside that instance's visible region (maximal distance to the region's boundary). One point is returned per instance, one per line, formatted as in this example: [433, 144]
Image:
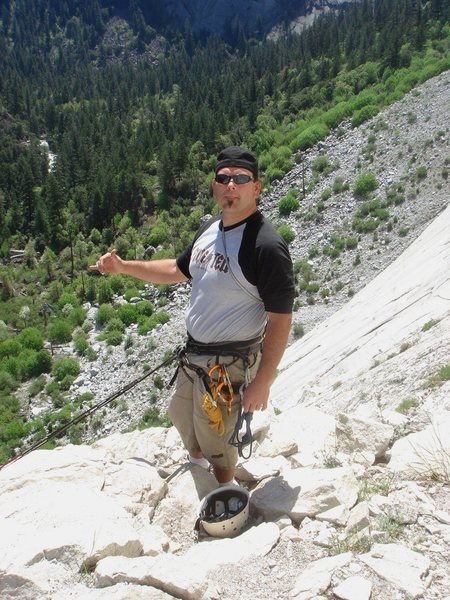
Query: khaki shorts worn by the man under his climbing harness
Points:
[189, 417]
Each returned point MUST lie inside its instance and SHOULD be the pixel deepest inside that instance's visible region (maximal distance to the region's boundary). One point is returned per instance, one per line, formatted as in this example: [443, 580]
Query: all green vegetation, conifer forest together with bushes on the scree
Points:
[135, 132]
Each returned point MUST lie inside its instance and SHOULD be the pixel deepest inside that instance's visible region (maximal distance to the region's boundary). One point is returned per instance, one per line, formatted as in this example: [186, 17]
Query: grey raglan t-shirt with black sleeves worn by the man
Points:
[222, 263]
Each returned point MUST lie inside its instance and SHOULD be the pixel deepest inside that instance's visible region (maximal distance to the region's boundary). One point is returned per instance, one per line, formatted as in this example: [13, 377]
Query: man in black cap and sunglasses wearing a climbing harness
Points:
[239, 317]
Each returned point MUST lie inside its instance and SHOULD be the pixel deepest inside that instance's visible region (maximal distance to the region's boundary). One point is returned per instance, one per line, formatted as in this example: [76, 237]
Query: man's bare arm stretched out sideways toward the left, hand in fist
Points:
[155, 271]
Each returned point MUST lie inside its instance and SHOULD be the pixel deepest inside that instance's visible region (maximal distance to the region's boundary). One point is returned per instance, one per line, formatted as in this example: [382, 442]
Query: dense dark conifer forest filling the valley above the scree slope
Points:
[133, 119]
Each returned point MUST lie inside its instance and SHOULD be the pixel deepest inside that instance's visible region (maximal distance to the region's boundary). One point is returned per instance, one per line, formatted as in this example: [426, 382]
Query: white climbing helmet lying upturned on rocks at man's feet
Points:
[224, 511]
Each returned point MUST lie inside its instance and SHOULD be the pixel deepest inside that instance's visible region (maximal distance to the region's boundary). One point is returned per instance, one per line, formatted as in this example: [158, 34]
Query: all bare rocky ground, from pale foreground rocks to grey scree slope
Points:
[349, 478]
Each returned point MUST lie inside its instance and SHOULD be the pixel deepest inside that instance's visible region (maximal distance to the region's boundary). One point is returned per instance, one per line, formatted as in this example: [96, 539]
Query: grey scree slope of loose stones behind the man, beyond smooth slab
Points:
[393, 163]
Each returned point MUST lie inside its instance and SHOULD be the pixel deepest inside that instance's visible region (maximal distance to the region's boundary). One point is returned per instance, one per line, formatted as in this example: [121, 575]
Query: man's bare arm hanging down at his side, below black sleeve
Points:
[256, 396]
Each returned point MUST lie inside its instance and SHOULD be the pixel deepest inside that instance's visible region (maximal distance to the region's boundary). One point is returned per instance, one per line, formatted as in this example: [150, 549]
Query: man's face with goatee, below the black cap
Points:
[237, 201]
